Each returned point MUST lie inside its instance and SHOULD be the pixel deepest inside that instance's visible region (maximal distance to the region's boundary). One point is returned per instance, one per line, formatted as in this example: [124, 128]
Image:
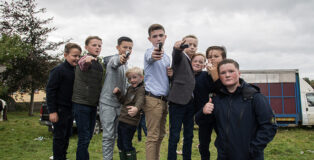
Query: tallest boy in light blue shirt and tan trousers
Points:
[156, 81]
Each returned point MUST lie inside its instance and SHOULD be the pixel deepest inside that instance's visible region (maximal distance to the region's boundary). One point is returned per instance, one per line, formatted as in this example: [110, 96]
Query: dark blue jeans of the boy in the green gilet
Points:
[85, 117]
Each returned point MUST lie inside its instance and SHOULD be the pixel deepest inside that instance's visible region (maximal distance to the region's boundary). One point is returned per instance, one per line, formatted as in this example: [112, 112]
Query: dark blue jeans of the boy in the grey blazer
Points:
[178, 115]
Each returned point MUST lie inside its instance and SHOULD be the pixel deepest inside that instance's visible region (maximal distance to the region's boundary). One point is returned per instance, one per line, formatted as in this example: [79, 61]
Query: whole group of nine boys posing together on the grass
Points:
[77, 85]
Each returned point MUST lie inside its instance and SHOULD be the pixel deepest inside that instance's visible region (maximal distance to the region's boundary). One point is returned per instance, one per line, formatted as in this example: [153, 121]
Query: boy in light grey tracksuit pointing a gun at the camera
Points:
[108, 102]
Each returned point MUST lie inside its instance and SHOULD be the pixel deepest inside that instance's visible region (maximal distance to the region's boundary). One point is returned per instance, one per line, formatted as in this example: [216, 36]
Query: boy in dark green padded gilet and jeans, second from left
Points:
[86, 91]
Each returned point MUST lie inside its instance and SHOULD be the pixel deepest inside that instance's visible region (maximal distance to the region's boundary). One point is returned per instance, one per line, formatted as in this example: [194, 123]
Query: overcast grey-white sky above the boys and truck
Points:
[258, 34]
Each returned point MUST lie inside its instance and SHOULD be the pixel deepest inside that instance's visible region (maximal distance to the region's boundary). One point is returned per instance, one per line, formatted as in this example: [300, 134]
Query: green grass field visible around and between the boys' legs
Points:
[17, 141]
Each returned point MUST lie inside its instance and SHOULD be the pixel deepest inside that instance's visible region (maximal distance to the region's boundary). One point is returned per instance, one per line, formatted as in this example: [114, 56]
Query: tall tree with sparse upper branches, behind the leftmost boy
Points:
[21, 17]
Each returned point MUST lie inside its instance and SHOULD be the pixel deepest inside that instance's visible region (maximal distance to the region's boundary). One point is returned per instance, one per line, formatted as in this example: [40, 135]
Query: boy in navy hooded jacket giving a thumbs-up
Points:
[244, 119]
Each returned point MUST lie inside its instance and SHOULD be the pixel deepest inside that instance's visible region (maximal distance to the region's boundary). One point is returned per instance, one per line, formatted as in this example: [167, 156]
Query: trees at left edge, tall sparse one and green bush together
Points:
[24, 48]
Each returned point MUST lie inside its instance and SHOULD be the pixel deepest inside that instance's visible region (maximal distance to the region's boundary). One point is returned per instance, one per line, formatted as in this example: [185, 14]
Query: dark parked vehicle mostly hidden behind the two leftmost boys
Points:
[44, 119]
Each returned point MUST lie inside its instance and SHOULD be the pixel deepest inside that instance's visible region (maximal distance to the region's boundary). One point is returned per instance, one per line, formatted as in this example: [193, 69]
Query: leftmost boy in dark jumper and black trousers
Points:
[59, 99]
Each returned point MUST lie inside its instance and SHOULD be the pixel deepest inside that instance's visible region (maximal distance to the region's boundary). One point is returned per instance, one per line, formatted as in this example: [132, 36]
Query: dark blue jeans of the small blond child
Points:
[125, 136]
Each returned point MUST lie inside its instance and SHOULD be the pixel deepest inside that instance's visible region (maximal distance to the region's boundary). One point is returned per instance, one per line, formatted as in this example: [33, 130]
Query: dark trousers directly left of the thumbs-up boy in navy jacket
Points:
[204, 135]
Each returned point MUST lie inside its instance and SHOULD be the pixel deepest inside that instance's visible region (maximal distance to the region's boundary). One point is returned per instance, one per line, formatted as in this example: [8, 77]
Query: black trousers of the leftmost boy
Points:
[62, 133]
